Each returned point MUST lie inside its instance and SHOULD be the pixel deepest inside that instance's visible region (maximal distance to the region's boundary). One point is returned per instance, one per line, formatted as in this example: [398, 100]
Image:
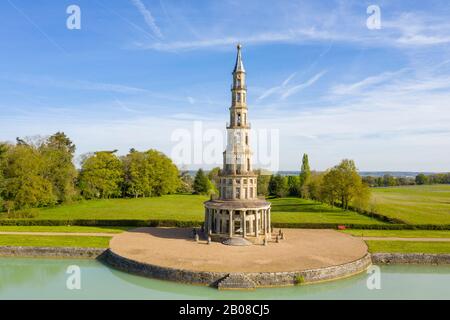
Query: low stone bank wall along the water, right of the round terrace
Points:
[410, 258]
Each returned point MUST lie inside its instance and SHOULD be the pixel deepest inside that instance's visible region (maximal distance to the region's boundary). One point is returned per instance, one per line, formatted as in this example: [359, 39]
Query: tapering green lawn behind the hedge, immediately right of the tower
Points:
[296, 210]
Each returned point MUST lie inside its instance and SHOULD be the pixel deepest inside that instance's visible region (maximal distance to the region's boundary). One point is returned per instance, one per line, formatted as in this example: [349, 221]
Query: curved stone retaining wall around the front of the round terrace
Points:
[260, 279]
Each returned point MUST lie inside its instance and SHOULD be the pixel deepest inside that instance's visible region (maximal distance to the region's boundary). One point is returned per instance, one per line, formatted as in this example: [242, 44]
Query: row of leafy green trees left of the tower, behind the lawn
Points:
[38, 172]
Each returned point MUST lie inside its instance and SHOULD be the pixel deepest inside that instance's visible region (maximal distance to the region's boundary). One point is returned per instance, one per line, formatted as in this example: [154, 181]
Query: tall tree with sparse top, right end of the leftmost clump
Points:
[57, 152]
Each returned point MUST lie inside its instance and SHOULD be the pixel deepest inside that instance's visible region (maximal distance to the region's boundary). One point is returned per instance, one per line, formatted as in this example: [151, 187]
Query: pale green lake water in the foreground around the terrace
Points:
[22, 278]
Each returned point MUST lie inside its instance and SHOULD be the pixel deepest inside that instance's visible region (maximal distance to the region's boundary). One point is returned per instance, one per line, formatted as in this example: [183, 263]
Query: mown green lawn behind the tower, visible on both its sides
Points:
[190, 208]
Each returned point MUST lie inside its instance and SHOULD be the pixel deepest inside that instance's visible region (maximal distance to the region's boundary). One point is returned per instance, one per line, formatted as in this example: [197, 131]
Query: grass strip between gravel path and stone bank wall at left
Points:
[54, 241]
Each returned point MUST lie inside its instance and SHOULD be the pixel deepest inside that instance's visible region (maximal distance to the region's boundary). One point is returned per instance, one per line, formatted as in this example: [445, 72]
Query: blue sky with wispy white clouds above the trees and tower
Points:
[140, 69]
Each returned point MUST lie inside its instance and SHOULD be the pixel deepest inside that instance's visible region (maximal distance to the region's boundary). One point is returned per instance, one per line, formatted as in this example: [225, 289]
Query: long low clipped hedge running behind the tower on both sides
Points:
[192, 224]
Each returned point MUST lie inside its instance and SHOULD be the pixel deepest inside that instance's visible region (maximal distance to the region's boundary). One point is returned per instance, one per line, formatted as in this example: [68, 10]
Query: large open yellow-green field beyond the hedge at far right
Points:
[428, 204]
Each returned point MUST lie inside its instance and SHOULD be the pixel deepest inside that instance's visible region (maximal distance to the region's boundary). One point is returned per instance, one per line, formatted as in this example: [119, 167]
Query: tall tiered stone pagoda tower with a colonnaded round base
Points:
[238, 213]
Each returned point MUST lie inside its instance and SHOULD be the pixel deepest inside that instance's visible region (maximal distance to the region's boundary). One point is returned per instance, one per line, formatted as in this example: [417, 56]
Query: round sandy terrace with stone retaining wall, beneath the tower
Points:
[299, 256]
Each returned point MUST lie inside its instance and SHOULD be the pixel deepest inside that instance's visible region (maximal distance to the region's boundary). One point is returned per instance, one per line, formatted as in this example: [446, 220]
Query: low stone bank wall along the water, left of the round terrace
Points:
[61, 252]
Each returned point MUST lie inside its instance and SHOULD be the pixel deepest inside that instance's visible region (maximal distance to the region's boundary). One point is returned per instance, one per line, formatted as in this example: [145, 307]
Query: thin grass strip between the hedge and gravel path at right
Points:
[400, 233]
